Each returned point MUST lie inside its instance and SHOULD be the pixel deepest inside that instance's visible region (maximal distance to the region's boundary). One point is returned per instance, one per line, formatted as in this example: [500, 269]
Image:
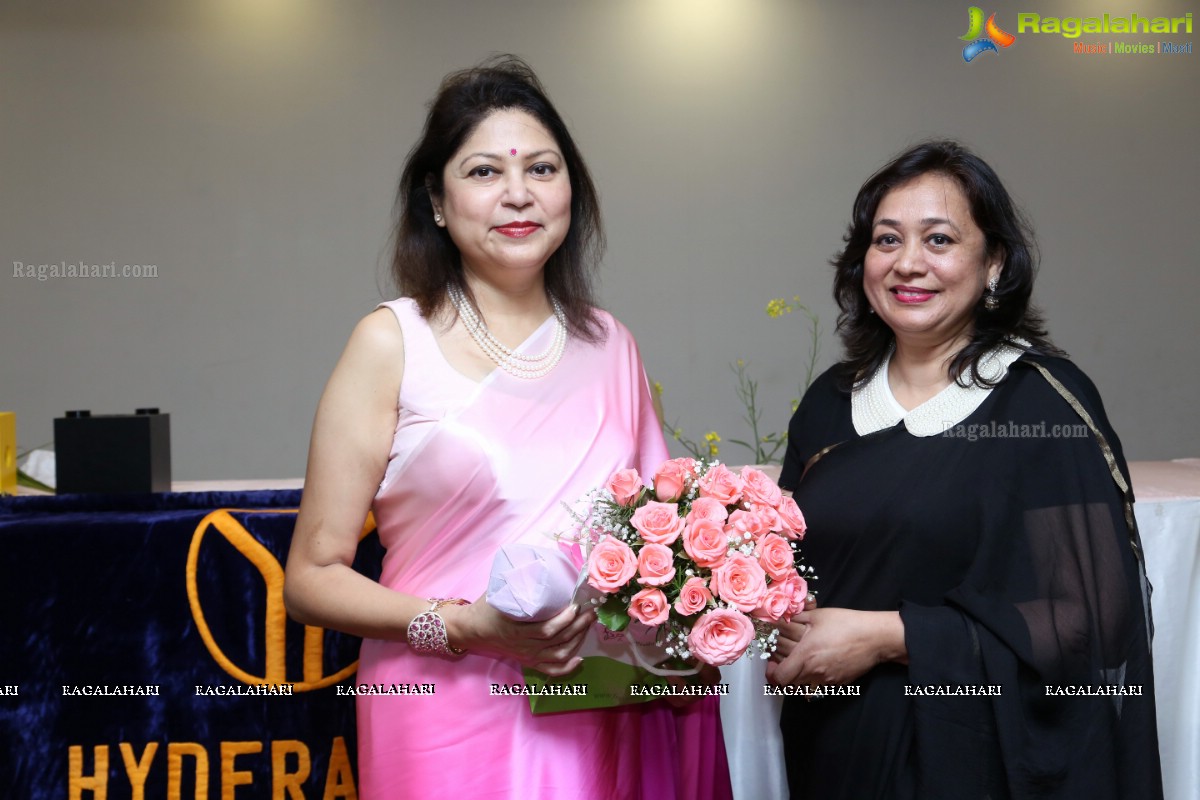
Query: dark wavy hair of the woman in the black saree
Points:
[867, 339]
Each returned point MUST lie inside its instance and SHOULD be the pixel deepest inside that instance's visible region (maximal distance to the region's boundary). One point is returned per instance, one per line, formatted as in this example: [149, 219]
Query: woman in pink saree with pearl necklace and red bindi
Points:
[465, 414]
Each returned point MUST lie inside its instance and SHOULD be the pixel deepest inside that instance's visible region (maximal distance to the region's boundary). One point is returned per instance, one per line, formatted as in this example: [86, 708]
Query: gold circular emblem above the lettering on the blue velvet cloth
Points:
[275, 634]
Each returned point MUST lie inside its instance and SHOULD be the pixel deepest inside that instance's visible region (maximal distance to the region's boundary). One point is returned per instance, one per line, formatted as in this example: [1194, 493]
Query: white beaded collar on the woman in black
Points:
[875, 408]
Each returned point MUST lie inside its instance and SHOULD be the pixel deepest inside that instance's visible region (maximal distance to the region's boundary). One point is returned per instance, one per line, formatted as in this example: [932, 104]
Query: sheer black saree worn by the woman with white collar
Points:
[1005, 545]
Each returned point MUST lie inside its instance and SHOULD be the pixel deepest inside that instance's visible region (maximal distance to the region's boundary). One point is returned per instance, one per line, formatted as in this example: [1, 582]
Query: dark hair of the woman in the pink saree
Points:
[425, 262]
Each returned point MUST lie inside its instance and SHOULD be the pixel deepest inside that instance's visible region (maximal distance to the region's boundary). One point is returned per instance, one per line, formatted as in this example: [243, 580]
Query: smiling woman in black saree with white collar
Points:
[970, 520]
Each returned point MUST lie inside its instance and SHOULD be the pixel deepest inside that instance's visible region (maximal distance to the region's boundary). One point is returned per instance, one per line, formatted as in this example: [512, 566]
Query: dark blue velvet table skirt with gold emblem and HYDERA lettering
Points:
[145, 652]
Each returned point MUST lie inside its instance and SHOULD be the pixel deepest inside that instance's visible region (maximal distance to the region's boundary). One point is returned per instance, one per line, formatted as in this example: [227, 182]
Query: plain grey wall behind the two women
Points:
[250, 151]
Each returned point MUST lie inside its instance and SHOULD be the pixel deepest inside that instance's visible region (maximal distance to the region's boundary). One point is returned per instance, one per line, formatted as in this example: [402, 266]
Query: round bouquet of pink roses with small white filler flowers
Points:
[706, 556]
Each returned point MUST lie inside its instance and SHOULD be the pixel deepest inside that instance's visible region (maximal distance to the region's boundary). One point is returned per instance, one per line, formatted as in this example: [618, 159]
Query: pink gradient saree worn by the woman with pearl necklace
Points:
[473, 467]
